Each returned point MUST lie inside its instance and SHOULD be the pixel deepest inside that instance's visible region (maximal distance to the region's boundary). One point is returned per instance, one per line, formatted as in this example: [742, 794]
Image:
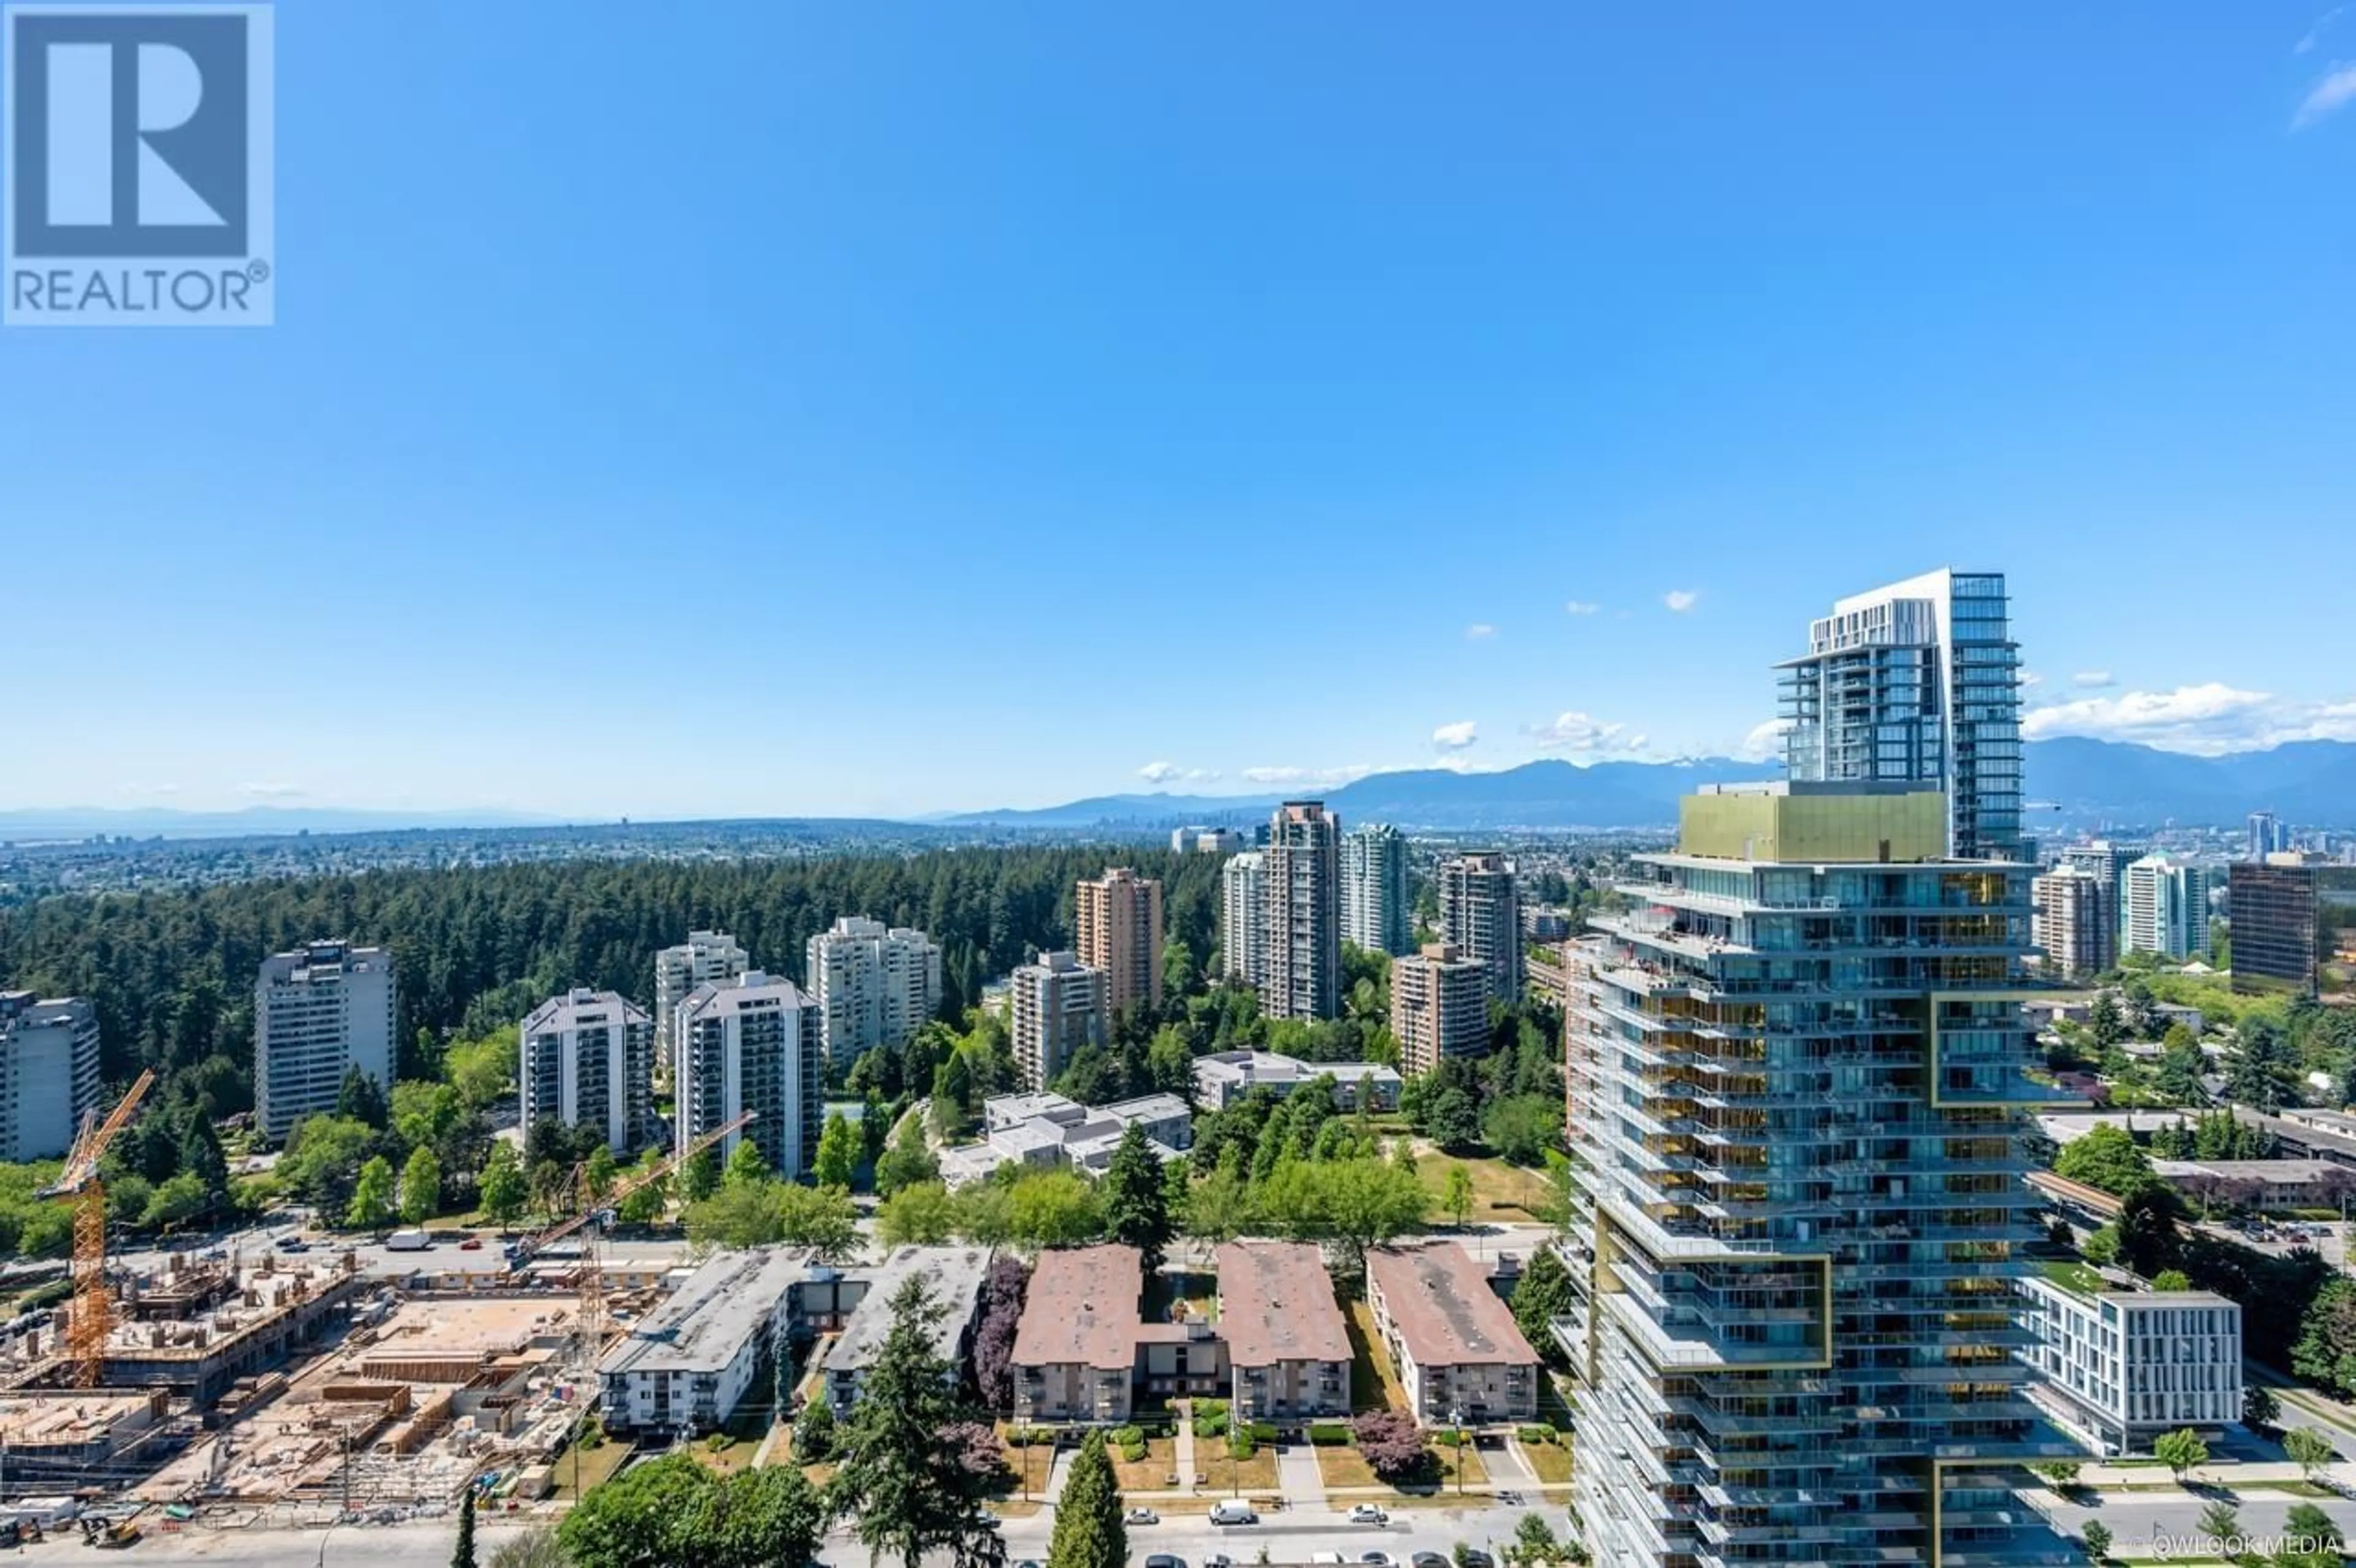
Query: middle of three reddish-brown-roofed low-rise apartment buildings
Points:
[1288, 1343]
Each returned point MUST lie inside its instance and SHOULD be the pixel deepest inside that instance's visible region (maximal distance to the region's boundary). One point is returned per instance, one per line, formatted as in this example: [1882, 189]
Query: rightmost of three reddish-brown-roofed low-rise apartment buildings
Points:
[1455, 1343]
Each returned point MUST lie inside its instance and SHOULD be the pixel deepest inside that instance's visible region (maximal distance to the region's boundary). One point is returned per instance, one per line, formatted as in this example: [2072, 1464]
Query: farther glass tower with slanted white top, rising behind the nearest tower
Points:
[1917, 684]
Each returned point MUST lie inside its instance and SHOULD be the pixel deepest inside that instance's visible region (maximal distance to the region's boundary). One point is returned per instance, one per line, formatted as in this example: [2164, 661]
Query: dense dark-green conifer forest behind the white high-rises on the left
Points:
[171, 974]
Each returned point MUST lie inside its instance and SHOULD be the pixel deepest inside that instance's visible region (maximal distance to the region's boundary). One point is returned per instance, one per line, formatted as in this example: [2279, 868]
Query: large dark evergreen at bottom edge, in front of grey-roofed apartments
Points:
[906, 1480]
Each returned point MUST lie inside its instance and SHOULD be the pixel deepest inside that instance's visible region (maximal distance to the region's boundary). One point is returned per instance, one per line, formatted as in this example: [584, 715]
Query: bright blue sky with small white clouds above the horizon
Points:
[821, 408]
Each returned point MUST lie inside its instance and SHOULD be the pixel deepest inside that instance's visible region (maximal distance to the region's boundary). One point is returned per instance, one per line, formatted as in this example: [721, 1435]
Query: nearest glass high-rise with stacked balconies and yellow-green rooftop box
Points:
[1796, 1079]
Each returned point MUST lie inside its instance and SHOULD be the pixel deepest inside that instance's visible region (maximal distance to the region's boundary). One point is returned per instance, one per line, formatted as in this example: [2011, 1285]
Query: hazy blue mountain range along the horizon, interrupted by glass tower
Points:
[2070, 783]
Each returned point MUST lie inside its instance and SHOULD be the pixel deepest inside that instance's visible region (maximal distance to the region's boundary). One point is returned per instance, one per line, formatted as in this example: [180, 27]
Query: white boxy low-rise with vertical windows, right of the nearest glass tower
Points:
[2124, 1367]
